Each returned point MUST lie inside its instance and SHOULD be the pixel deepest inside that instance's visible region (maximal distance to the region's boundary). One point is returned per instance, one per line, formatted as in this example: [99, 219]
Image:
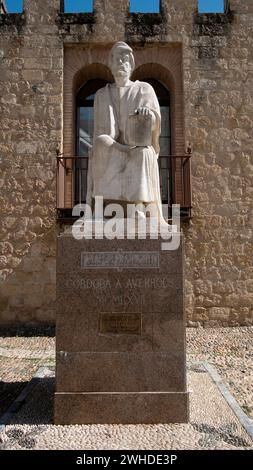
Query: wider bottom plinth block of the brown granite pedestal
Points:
[130, 408]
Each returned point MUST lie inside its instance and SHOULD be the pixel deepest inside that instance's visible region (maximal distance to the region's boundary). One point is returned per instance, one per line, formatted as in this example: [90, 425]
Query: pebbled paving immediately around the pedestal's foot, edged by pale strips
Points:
[213, 424]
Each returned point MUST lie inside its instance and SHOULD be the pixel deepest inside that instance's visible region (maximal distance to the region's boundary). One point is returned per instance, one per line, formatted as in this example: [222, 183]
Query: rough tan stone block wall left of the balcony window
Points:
[31, 77]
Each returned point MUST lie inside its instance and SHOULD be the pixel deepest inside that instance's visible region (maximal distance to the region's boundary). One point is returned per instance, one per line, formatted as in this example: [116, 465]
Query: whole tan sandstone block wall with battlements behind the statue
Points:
[216, 67]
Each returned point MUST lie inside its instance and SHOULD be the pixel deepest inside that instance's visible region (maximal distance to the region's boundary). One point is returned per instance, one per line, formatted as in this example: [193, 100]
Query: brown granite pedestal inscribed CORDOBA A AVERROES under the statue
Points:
[120, 333]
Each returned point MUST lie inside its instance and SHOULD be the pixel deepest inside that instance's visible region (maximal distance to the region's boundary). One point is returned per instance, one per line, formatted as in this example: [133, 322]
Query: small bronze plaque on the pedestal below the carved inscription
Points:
[119, 324]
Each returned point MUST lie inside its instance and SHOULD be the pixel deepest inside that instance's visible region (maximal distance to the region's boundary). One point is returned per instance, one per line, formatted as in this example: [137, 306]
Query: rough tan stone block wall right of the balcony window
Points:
[218, 66]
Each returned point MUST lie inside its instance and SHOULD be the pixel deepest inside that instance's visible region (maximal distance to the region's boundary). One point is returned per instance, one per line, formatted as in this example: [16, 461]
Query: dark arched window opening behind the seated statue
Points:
[84, 136]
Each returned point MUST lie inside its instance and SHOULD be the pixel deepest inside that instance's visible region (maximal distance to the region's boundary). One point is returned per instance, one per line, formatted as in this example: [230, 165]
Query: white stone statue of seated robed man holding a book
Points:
[127, 124]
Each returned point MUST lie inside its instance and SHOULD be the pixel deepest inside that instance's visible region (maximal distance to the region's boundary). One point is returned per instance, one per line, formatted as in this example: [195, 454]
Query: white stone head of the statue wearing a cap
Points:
[121, 60]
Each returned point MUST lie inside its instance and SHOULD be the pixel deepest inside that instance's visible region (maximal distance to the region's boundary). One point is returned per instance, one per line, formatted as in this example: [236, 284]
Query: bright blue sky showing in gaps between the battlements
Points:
[135, 5]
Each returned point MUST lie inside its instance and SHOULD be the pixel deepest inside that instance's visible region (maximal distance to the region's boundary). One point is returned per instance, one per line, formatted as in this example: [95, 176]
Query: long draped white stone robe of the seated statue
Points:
[117, 175]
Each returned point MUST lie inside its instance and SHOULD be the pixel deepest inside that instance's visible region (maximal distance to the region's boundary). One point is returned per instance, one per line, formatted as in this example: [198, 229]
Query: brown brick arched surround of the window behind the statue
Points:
[152, 64]
